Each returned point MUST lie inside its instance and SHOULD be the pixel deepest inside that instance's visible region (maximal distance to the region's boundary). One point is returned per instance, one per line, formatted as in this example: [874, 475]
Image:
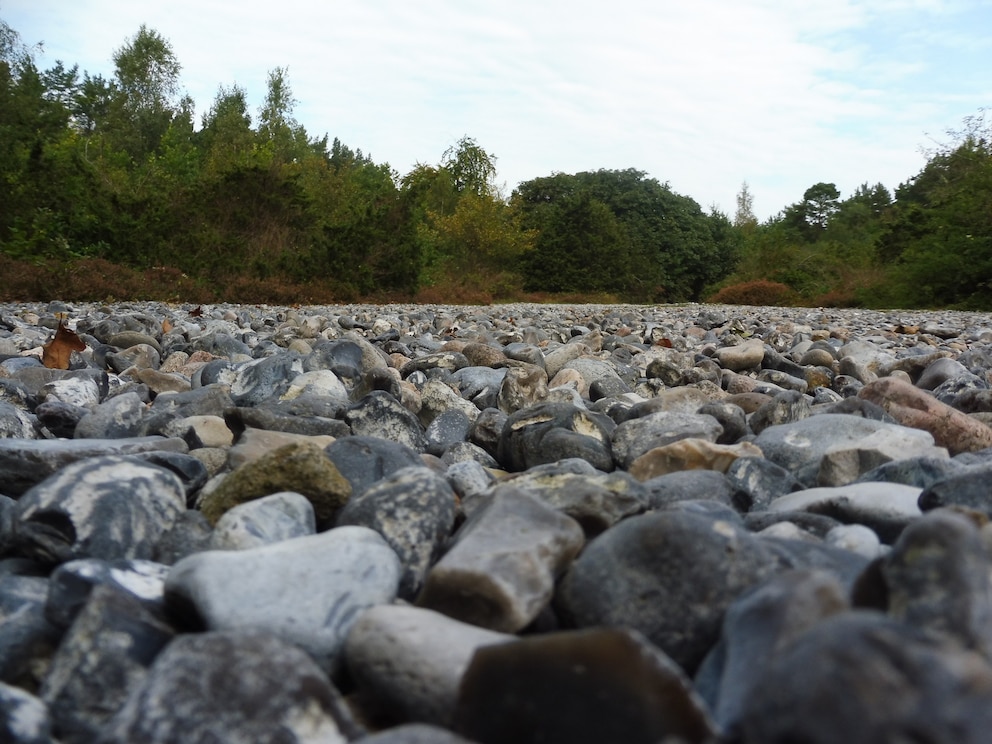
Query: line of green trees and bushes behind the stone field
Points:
[116, 171]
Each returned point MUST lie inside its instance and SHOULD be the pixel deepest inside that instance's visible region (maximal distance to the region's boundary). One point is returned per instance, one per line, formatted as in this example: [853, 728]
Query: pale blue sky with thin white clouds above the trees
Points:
[703, 95]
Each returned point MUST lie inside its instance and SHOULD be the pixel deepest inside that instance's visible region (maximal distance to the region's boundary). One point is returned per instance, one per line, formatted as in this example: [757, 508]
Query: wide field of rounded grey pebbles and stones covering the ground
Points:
[503, 525]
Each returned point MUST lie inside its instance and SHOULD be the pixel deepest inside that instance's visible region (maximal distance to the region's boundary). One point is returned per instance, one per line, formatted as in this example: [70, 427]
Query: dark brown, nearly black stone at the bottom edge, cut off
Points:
[587, 686]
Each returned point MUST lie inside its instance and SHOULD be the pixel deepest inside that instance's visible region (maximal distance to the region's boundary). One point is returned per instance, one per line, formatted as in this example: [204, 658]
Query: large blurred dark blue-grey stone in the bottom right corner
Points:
[861, 678]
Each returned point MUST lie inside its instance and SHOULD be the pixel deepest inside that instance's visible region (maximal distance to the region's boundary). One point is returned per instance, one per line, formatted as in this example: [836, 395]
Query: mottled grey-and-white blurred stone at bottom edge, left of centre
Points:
[234, 686]
